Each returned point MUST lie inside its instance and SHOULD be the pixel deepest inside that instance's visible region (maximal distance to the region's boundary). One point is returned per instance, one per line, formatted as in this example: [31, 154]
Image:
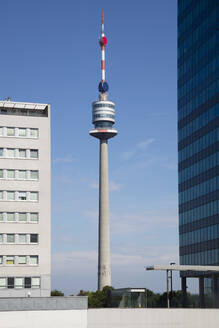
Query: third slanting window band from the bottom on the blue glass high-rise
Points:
[199, 213]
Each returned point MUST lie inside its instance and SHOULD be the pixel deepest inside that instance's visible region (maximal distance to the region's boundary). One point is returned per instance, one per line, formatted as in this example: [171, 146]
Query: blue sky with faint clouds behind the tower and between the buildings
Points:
[50, 54]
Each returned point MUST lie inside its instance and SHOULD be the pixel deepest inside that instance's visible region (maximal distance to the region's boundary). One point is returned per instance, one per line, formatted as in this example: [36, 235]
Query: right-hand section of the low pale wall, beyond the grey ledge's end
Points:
[156, 318]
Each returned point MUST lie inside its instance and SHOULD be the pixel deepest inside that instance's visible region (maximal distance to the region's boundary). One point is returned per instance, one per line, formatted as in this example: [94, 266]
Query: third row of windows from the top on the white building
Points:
[19, 174]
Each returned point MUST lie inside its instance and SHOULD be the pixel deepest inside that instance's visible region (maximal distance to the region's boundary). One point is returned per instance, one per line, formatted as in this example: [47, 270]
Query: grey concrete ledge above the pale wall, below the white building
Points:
[44, 303]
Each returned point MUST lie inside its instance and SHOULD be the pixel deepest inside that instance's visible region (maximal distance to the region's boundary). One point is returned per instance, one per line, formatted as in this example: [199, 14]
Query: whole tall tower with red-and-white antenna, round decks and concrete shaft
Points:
[103, 118]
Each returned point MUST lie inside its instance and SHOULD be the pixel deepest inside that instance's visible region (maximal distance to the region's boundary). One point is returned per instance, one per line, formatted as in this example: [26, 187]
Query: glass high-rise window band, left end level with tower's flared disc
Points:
[198, 122]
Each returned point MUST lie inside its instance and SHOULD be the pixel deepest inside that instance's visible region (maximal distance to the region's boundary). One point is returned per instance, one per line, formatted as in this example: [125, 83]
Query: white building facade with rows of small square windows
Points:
[24, 199]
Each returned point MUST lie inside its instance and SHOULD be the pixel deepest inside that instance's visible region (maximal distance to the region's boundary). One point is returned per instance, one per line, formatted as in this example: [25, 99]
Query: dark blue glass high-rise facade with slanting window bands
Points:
[198, 132]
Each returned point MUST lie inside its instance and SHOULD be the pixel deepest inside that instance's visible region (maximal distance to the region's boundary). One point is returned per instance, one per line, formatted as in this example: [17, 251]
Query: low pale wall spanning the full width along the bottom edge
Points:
[112, 318]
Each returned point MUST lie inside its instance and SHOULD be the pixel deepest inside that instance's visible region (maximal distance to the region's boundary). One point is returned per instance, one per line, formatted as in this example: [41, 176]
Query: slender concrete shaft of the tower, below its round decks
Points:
[104, 271]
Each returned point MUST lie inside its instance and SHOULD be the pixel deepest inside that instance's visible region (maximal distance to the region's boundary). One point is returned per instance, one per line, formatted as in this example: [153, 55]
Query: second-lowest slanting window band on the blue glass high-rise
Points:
[198, 236]
